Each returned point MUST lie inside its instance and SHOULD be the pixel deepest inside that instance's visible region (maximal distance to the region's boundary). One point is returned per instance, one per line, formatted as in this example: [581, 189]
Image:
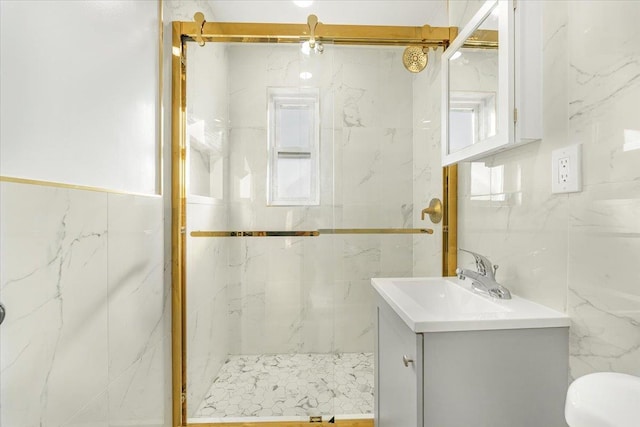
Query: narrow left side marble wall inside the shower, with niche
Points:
[207, 269]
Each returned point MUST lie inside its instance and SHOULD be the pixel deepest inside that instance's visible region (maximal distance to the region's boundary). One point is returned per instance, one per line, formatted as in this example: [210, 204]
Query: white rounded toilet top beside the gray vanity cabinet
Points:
[604, 399]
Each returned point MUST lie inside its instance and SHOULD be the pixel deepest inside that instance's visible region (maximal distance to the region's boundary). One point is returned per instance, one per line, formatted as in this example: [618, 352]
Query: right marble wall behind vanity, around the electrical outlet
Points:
[573, 252]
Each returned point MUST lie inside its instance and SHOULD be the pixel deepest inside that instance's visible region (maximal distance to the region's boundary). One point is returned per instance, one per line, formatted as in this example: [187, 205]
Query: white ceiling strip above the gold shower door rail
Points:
[356, 12]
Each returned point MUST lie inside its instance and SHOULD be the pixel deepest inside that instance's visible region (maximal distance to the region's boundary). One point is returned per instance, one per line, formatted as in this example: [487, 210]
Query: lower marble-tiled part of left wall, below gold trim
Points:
[85, 336]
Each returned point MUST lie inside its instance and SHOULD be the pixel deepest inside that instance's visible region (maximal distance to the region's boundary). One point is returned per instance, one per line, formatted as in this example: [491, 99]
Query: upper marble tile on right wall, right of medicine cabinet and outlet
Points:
[604, 85]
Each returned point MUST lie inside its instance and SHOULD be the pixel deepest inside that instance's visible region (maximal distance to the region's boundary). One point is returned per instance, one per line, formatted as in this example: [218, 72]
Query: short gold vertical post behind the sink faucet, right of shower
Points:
[450, 220]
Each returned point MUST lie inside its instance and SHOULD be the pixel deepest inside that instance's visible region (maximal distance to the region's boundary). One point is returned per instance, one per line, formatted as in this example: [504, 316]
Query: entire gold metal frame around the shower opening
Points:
[203, 32]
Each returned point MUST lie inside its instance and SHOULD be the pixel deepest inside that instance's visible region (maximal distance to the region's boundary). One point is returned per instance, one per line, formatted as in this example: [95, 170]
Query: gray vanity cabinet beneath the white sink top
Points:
[480, 378]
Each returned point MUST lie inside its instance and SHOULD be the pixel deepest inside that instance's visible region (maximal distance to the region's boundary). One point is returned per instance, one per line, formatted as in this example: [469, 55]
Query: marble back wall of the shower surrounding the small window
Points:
[313, 295]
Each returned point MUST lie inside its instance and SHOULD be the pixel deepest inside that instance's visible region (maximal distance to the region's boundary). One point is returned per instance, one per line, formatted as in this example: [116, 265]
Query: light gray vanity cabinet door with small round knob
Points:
[398, 385]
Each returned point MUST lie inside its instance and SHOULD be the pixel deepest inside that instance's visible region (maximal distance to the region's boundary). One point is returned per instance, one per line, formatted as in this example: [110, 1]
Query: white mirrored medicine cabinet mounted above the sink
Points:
[492, 82]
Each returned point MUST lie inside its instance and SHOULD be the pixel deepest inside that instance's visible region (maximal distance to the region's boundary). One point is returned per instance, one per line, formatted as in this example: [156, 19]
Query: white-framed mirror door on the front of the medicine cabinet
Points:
[476, 86]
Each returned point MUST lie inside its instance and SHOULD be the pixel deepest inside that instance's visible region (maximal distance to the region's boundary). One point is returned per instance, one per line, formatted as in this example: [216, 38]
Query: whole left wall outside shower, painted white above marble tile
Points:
[86, 341]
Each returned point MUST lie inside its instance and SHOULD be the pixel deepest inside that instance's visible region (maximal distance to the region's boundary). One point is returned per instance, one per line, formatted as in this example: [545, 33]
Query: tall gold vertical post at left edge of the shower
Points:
[178, 224]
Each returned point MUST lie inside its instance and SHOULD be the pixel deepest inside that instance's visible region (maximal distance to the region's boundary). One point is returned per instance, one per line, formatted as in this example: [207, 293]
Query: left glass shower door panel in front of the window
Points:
[259, 306]
